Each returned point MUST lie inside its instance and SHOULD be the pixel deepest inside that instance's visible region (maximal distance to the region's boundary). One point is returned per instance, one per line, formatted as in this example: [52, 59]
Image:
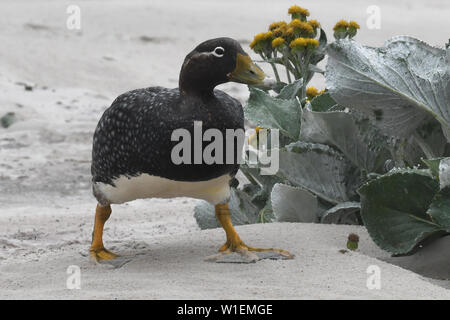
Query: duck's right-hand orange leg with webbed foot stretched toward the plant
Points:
[234, 242]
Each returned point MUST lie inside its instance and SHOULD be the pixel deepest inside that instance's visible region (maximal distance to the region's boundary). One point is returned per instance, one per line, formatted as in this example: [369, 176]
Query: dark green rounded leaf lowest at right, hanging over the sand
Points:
[394, 209]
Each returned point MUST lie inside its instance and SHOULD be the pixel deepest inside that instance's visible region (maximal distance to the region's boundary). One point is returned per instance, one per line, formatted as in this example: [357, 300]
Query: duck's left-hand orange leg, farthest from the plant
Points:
[98, 251]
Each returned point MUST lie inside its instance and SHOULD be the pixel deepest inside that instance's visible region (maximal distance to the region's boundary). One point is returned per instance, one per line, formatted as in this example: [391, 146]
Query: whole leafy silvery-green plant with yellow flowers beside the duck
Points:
[353, 153]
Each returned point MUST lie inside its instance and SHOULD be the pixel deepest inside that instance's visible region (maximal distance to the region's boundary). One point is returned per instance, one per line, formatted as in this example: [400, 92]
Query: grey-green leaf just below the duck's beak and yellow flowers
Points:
[270, 112]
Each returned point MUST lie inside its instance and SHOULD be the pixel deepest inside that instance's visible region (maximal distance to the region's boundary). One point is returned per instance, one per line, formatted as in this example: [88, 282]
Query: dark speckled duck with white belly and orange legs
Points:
[133, 143]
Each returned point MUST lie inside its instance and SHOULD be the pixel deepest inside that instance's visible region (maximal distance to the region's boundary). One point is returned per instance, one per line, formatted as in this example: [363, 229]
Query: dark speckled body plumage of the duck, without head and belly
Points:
[134, 134]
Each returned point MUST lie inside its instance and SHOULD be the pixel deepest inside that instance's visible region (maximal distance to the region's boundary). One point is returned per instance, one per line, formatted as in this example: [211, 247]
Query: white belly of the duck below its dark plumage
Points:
[147, 186]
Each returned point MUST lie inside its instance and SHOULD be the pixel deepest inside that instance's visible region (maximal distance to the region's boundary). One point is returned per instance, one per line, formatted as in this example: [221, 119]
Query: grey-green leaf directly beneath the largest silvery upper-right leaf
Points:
[354, 136]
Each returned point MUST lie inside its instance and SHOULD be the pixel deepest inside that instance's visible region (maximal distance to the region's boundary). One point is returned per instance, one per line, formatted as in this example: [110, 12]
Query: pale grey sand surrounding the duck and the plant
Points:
[58, 82]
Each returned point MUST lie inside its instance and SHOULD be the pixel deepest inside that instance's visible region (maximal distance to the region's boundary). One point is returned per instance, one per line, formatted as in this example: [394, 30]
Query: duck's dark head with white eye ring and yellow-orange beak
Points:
[217, 61]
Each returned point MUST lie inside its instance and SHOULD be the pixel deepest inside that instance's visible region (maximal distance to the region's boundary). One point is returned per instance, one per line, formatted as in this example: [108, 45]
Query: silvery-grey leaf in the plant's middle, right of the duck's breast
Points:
[317, 168]
